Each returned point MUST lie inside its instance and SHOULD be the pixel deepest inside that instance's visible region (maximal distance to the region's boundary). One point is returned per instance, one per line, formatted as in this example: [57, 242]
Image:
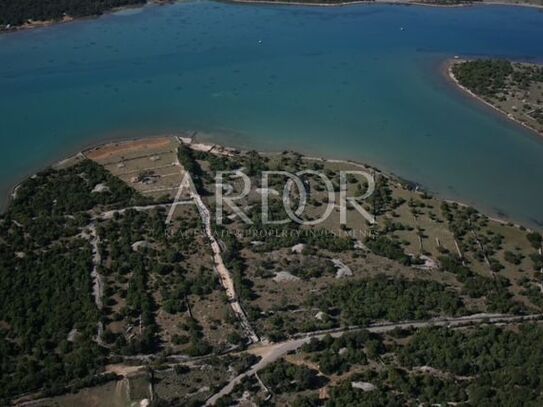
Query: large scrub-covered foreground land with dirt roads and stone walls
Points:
[119, 286]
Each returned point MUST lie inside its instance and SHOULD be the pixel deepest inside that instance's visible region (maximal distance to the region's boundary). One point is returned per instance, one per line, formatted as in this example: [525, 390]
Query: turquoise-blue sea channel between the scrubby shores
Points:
[341, 82]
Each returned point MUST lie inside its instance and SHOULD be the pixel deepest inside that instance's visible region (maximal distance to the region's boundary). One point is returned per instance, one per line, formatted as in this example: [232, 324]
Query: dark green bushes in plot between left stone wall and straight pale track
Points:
[150, 270]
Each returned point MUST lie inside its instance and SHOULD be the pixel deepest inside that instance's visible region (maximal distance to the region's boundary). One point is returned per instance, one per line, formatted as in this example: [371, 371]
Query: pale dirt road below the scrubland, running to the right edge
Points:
[273, 352]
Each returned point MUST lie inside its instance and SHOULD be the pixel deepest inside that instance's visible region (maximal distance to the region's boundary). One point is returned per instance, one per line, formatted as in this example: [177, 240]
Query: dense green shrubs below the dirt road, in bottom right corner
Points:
[476, 366]
